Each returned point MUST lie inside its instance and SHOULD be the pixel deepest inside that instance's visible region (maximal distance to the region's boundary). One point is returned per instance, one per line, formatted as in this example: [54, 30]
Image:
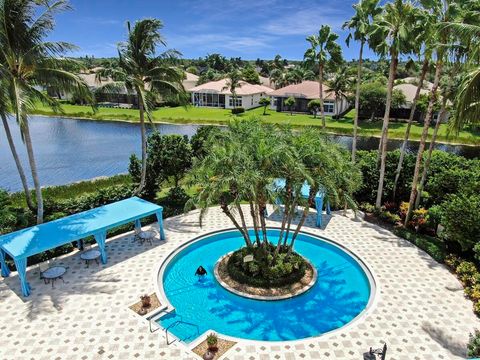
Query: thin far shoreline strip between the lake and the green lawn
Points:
[222, 123]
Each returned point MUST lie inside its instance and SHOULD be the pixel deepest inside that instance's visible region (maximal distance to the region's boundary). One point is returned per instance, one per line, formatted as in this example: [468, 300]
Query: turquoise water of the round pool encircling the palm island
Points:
[340, 294]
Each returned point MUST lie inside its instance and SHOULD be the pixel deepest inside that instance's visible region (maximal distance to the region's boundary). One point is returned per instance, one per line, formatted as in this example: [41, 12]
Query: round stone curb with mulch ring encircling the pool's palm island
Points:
[235, 287]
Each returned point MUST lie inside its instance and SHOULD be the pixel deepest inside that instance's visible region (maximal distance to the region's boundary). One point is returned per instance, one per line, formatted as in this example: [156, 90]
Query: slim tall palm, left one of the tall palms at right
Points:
[360, 24]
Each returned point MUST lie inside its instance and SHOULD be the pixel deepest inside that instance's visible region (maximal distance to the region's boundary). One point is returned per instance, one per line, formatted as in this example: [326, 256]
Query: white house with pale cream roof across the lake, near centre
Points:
[217, 94]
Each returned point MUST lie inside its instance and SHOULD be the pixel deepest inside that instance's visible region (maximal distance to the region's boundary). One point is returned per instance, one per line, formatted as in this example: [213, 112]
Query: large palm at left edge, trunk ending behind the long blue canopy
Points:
[28, 61]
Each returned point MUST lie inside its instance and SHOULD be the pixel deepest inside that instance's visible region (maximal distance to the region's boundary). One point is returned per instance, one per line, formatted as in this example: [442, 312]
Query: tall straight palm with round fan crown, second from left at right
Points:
[391, 36]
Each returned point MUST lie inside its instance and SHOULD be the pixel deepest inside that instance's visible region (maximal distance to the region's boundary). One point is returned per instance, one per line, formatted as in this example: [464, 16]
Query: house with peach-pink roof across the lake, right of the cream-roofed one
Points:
[303, 93]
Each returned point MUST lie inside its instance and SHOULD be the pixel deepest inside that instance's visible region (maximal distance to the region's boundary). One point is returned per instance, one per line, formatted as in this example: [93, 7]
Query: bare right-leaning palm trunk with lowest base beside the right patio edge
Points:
[421, 148]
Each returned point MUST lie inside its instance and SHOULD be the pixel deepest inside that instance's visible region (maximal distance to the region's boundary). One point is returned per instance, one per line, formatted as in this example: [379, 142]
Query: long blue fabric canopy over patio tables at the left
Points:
[96, 222]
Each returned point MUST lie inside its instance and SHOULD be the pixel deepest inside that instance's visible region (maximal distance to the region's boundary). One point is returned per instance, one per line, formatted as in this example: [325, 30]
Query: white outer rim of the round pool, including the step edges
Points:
[159, 271]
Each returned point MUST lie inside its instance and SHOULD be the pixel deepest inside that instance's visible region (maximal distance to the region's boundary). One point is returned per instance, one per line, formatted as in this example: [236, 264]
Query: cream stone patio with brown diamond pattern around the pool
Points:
[420, 310]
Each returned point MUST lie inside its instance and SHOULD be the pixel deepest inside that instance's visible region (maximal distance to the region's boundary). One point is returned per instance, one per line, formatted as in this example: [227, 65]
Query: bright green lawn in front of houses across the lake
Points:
[193, 115]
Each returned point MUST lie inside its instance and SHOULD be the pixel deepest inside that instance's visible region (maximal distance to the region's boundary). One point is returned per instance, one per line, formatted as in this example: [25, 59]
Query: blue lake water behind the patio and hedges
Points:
[72, 150]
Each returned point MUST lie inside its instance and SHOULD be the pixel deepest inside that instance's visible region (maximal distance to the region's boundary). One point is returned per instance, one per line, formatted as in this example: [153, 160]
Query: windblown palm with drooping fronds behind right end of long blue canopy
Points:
[148, 76]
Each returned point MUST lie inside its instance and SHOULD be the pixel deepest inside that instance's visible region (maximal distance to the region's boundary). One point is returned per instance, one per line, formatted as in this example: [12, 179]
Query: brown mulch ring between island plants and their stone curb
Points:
[252, 290]
